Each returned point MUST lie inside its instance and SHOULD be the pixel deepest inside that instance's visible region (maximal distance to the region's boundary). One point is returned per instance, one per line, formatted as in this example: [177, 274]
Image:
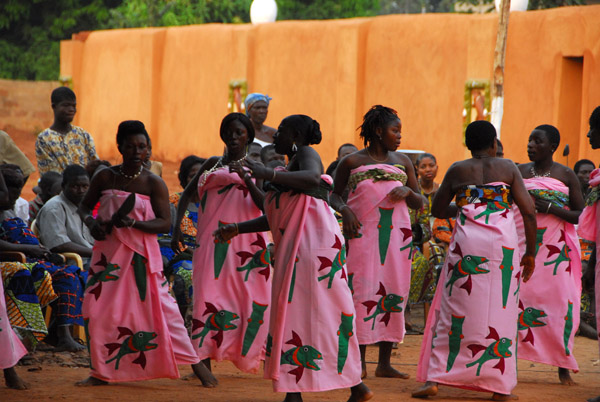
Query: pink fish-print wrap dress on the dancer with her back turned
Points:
[470, 339]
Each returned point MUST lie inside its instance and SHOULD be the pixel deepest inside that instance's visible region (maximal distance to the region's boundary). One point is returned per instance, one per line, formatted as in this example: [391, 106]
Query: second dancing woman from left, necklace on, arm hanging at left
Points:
[232, 281]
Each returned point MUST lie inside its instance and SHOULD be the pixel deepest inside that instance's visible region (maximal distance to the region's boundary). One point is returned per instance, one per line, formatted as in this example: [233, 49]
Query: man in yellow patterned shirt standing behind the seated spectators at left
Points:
[63, 144]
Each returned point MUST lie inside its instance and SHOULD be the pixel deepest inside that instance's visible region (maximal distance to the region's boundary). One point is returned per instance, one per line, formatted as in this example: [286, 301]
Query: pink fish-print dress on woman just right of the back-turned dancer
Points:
[550, 301]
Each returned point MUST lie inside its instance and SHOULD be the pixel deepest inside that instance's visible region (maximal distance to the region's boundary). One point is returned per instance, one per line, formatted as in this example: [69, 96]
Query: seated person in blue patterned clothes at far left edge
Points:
[68, 282]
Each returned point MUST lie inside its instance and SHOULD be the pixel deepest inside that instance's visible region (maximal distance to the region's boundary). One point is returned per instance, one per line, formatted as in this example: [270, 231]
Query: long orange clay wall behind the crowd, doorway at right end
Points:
[176, 79]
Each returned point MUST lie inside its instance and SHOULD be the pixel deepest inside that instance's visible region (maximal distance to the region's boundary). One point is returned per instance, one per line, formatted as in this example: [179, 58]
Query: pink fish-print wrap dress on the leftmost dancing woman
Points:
[134, 328]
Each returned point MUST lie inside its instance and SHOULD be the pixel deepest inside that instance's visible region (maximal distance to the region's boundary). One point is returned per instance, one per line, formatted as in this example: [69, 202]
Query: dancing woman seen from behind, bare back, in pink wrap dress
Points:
[471, 333]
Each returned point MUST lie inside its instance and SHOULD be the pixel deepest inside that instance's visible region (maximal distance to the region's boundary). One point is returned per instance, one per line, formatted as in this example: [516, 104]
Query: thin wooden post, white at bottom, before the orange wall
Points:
[499, 56]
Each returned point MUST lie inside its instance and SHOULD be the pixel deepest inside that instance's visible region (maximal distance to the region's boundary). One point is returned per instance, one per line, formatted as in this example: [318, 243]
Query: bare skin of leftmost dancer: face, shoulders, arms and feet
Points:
[134, 150]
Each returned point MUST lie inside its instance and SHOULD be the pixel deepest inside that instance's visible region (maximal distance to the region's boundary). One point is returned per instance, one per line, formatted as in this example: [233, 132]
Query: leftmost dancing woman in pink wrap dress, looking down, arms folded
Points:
[135, 331]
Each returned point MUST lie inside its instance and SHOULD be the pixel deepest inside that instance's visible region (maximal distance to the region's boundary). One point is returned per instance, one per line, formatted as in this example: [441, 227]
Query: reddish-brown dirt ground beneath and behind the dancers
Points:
[52, 376]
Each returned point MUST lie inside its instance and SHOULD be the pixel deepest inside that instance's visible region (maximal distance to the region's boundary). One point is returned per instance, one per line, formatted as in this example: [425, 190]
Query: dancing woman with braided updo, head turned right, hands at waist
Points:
[376, 221]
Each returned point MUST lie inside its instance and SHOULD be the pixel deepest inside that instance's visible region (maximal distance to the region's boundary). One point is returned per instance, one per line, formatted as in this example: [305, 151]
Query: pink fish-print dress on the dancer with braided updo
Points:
[379, 261]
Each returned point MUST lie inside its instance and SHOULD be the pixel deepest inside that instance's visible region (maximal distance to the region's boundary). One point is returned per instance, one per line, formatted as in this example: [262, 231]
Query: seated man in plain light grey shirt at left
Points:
[60, 226]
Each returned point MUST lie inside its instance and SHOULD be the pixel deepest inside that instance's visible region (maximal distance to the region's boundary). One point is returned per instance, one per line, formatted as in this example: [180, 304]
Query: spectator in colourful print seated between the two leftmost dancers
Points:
[181, 265]
